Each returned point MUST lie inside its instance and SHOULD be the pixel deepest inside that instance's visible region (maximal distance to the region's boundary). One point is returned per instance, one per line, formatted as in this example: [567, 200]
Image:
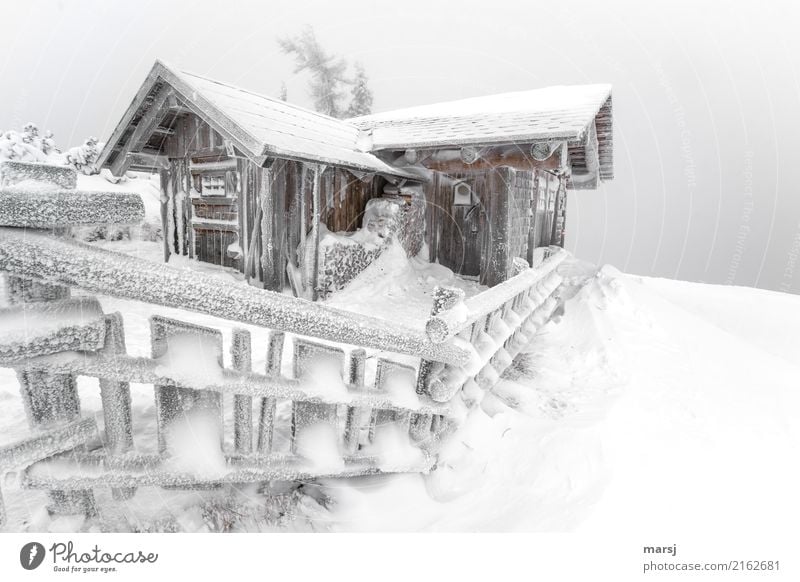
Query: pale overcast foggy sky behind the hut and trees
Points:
[706, 98]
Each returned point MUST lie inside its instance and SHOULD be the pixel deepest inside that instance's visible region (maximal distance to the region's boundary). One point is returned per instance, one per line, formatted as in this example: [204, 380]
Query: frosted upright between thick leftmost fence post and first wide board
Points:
[116, 399]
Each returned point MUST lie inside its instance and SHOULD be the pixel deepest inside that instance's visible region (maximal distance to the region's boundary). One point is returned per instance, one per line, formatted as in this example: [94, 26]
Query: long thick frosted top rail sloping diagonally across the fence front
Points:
[70, 263]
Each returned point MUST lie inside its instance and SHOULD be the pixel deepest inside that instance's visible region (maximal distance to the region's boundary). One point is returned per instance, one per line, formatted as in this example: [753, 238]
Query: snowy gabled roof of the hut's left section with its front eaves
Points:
[259, 125]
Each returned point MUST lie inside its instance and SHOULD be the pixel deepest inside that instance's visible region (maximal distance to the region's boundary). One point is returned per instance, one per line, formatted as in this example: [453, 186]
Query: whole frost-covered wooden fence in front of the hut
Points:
[345, 383]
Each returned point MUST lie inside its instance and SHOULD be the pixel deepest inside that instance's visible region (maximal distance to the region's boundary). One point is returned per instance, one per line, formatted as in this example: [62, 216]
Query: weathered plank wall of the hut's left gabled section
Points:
[263, 207]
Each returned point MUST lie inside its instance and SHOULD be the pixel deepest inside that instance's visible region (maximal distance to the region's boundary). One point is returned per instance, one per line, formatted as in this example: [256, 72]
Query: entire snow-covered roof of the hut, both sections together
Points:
[262, 127]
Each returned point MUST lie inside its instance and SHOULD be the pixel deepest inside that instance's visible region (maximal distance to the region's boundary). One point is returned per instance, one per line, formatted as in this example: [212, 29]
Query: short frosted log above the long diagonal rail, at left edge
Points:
[37, 207]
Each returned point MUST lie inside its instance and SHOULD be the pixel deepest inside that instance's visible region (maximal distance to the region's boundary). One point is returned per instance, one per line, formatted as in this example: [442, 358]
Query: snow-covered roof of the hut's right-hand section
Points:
[562, 112]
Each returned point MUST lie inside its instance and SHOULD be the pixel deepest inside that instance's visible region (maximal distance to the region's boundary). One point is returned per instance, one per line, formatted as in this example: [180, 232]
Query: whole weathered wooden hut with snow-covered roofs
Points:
[253, 182]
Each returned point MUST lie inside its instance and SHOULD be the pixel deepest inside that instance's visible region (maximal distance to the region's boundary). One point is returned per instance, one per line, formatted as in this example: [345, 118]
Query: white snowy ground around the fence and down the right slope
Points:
[644, 401]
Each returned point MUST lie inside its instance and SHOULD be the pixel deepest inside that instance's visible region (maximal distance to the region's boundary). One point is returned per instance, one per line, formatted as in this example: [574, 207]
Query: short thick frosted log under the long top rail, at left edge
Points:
[36, 329]
